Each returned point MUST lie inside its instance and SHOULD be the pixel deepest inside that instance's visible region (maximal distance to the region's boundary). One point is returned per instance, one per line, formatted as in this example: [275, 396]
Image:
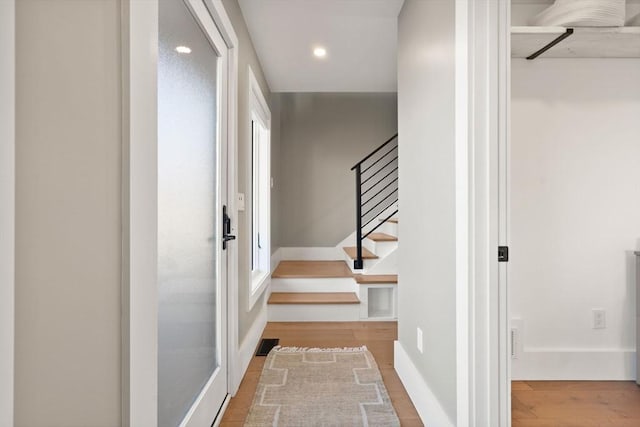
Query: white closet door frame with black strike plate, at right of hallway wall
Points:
[487, 59]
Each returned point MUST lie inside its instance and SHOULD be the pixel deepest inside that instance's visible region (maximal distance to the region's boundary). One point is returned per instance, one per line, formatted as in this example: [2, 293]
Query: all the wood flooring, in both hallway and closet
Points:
[534, 403]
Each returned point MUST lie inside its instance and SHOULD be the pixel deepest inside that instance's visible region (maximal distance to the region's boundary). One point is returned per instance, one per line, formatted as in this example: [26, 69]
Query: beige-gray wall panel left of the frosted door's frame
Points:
[67, 370]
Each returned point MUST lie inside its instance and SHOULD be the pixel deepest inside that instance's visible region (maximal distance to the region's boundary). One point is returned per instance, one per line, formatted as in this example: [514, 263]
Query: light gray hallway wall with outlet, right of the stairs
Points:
[426, 269]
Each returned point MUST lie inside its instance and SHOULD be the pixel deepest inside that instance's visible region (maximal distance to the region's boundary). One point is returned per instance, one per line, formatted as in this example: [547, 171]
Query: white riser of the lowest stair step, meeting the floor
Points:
[313, 312]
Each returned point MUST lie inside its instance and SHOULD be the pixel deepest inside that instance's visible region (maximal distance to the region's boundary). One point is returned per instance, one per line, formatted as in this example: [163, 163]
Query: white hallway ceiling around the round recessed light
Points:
[359, 35]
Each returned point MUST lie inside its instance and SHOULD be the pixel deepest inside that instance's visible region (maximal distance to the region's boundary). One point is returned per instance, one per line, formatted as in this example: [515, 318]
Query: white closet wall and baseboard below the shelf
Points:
[575, 209]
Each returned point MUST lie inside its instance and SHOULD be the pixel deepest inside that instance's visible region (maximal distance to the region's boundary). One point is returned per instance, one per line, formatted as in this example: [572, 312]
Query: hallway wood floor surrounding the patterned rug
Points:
[377, 336]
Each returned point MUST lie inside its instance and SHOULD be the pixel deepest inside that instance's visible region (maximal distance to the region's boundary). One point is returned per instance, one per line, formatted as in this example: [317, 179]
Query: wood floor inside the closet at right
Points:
[575, 403]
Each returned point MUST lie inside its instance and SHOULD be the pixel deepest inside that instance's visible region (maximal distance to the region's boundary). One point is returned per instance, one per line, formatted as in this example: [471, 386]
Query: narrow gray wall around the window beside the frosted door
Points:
[246, 57]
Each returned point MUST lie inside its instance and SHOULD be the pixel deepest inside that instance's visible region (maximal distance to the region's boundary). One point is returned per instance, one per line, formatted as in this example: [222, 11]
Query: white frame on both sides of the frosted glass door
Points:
[139, 188]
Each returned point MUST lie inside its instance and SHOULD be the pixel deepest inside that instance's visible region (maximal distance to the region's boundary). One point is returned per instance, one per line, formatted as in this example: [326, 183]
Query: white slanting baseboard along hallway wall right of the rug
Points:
[426, 403]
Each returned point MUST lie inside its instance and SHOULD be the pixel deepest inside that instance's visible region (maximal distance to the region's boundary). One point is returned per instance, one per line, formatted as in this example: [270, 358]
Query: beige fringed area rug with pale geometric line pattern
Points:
[321, 387]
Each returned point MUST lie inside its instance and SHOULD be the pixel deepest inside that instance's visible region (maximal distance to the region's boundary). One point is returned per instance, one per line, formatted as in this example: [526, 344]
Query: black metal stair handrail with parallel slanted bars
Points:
[384, 178]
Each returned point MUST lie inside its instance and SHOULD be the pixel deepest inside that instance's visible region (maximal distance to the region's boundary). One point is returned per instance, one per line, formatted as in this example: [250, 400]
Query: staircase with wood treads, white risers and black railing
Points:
[363, 284]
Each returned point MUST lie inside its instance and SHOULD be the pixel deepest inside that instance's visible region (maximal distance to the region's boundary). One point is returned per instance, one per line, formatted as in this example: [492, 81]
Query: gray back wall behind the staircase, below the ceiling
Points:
[322, 135]
